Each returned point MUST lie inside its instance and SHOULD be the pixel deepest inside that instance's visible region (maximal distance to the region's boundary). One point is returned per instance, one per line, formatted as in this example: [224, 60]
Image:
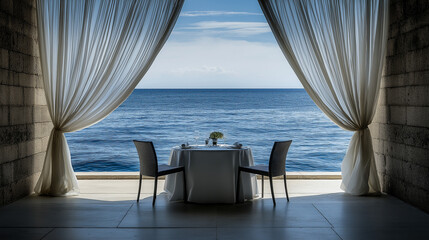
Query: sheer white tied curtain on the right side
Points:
[337, 50]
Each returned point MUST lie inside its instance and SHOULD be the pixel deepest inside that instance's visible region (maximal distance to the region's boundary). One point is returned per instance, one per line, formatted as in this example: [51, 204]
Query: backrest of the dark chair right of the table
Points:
[277, 164]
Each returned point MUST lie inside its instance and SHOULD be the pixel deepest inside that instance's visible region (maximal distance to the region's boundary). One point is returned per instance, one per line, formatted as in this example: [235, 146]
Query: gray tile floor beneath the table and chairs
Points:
[106, 209]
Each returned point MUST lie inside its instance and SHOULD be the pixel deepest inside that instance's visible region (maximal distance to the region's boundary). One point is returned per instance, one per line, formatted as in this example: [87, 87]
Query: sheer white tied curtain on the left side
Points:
[93, 53]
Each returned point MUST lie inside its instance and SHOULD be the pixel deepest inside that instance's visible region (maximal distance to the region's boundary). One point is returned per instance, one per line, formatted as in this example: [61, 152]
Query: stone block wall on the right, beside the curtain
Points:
[401, 125]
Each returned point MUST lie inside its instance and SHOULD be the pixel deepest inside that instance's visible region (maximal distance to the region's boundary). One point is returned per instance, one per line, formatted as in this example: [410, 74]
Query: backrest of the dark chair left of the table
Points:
[147, 156]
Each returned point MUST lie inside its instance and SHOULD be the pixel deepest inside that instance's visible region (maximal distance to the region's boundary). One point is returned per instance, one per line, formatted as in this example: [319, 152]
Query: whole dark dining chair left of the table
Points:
[149, 167]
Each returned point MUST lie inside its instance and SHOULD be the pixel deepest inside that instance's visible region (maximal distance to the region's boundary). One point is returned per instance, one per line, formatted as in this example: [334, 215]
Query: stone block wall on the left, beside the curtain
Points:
[24, 119]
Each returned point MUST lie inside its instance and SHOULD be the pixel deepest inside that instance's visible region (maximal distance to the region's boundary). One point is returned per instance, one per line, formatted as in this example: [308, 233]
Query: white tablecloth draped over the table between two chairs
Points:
[211, 174]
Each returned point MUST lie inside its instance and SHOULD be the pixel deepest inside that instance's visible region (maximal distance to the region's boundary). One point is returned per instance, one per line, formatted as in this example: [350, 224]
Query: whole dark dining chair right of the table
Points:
[276, 167]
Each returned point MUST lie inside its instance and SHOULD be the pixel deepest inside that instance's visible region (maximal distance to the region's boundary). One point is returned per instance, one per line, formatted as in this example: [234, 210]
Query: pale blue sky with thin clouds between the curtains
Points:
[221, 44]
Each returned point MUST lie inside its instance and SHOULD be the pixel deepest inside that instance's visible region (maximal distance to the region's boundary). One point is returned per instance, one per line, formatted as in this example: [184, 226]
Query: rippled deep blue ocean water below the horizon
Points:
[253, 117]
